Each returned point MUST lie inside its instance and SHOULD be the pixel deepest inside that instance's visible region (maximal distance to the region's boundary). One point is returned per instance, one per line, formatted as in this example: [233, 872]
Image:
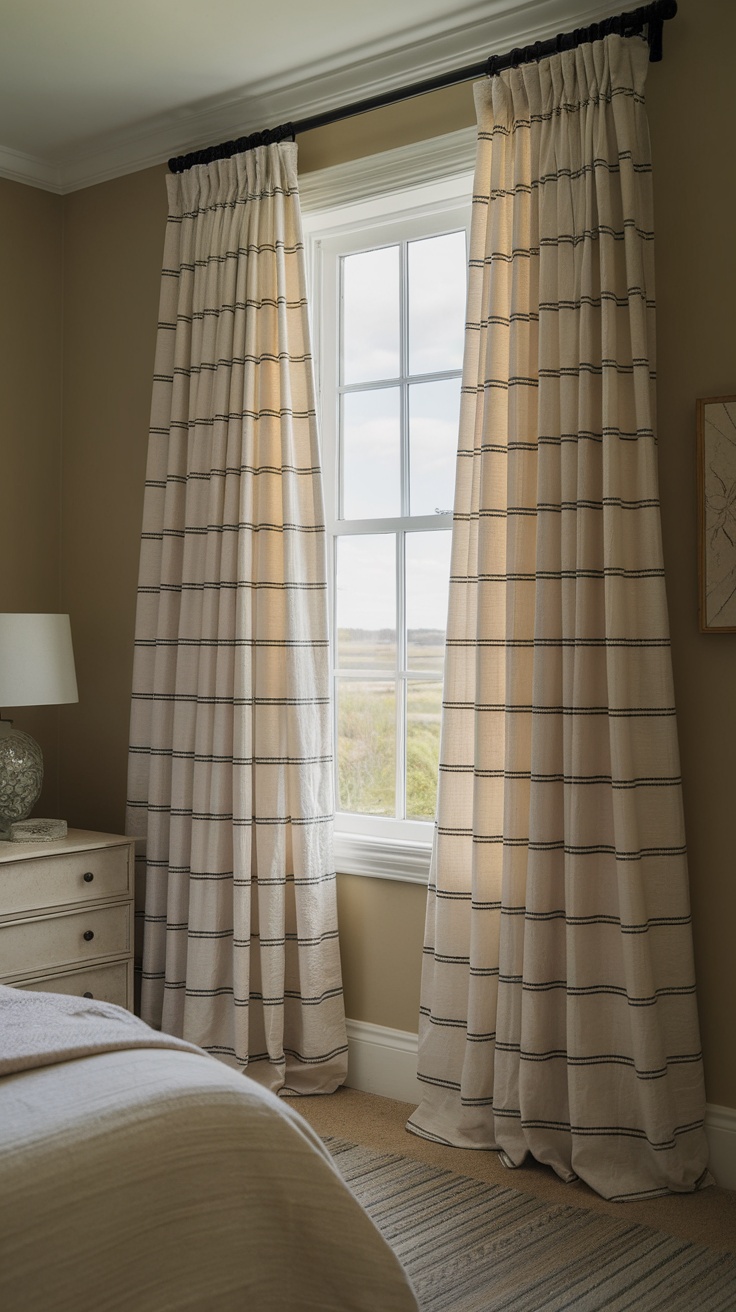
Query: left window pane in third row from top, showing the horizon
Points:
[367, 602]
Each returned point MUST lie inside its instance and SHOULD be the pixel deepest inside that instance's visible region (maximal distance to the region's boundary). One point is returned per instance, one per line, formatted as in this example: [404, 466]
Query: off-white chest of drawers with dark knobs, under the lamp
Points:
[66, 916]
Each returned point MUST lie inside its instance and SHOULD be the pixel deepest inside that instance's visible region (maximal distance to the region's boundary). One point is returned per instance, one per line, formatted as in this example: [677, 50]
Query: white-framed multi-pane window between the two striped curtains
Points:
[389, 289]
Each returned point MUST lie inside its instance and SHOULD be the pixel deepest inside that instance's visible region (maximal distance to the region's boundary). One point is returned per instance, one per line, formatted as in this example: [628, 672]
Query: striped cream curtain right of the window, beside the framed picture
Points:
[558, 1010]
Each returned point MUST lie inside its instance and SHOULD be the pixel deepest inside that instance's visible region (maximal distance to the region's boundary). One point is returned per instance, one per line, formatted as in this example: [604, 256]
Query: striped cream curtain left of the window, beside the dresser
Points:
[230, 777]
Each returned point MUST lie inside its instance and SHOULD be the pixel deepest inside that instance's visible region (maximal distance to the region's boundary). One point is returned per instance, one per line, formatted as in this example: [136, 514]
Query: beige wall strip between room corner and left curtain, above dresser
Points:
[113, 245]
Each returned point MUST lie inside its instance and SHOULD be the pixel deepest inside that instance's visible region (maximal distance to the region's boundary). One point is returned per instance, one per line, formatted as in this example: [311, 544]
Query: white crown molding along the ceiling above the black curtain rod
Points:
[494, 27]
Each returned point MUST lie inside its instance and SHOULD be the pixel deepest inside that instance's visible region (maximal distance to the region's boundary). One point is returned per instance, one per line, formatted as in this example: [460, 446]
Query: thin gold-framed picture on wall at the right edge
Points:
[717, 515]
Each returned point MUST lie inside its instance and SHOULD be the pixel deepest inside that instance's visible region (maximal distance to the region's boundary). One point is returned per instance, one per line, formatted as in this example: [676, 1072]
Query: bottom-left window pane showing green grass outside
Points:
[367, 747]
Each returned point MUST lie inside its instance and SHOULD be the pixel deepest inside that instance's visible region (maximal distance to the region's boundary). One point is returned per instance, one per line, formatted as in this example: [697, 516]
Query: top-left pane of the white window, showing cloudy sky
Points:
[371, 316]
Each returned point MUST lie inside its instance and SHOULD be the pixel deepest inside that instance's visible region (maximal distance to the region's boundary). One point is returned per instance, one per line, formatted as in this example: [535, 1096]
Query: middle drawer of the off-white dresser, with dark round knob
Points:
[31, 947]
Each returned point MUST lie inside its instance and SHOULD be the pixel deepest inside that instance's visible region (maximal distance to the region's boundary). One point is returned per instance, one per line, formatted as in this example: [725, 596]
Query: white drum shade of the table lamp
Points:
[36, 661]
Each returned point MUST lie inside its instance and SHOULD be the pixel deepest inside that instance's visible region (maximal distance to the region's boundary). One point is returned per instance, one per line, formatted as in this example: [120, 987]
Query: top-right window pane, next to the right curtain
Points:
[438, 304]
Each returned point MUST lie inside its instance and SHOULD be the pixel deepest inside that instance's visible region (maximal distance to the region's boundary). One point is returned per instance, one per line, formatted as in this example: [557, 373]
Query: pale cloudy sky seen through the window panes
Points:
[436, 272]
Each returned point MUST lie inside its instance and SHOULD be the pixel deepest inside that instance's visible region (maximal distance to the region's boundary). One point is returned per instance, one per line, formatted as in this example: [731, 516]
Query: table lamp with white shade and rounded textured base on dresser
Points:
[36, 670]
